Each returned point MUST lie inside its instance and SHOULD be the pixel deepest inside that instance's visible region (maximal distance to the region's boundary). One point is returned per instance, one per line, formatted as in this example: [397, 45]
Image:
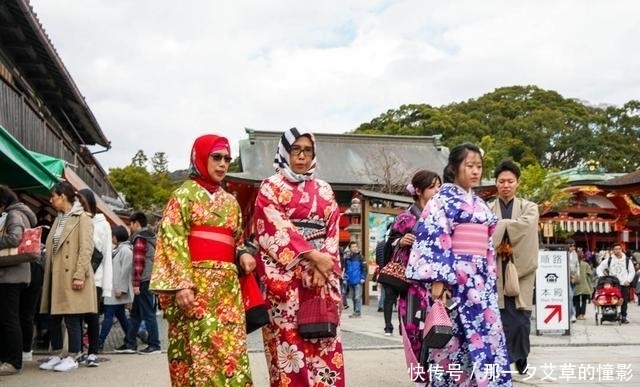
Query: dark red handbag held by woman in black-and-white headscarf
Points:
[318, 316]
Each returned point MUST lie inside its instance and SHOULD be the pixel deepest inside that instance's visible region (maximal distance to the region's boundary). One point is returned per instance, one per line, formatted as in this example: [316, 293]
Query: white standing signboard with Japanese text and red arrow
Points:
[552, 292]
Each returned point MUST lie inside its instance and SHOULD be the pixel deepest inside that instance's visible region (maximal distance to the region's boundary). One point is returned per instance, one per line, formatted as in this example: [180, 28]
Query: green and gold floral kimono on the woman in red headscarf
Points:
[207, 345]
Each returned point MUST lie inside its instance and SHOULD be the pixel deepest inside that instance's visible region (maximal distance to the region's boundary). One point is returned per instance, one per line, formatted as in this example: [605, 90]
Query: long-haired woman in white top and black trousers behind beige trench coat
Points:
[103, 275]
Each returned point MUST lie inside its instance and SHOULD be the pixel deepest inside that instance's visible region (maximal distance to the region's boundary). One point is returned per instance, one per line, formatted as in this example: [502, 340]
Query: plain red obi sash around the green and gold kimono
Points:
[209, 243]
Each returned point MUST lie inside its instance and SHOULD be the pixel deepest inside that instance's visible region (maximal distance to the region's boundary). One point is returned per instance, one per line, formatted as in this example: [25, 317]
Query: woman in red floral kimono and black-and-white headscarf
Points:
[296, 224]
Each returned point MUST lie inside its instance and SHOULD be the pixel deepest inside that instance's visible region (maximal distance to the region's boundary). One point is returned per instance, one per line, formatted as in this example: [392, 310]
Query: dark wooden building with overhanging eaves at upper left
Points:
[43, 116]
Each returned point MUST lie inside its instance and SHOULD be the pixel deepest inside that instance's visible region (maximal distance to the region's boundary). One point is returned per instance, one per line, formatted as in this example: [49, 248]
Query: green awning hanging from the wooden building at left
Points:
[22, 169]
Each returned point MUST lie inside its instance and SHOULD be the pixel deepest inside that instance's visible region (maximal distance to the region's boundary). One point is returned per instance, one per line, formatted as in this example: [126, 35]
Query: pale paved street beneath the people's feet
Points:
[607, 355]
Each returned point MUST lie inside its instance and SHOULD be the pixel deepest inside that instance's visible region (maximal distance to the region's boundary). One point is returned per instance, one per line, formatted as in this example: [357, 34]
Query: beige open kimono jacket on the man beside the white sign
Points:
[523, 234]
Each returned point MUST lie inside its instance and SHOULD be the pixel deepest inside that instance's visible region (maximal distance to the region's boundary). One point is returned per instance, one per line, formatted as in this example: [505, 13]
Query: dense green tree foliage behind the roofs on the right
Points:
[538, 129]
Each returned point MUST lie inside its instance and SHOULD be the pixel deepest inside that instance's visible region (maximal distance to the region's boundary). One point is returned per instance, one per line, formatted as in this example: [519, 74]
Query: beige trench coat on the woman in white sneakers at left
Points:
[71, 261]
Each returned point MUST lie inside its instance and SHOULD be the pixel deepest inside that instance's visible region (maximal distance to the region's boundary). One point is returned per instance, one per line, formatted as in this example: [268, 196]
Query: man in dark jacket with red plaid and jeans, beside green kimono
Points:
[144, 305]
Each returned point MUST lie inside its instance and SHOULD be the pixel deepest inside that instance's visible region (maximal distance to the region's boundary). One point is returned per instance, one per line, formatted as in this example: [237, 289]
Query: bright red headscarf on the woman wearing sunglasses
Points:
[203, 146]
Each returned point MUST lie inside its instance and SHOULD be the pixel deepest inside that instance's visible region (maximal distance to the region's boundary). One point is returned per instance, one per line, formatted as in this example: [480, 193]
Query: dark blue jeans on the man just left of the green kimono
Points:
[143, 309]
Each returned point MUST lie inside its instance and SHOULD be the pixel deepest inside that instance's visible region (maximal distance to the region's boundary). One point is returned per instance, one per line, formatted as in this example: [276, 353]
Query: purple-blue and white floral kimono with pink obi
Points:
[477, 353]
